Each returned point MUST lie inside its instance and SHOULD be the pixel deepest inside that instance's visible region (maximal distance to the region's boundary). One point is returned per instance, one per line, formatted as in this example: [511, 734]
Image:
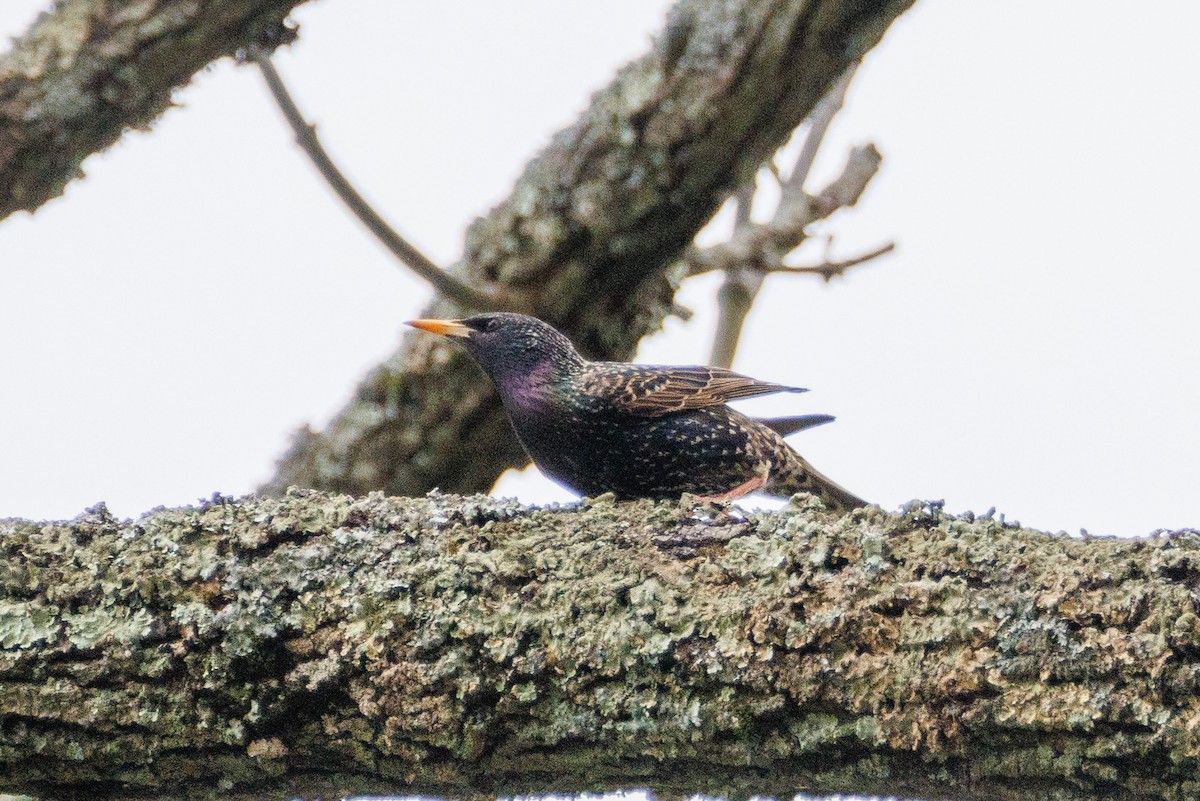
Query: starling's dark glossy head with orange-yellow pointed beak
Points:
[520, 353]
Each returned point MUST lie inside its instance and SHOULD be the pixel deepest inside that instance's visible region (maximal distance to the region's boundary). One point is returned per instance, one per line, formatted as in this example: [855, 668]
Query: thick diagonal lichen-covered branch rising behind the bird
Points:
[591, 231]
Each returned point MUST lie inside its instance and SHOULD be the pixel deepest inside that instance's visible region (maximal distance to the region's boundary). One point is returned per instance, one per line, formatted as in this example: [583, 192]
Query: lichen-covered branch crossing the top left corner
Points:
[89, 70]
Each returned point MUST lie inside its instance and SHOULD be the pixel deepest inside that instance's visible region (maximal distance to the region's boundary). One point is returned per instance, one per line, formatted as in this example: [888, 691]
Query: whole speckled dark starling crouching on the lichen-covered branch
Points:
[633, 430]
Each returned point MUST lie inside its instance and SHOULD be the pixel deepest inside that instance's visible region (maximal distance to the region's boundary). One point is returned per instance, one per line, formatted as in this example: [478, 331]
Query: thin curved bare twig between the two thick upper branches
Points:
[307, 137]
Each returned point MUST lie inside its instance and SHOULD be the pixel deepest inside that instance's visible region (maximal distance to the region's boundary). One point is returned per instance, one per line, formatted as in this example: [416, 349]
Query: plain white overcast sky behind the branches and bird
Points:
[1033, 346]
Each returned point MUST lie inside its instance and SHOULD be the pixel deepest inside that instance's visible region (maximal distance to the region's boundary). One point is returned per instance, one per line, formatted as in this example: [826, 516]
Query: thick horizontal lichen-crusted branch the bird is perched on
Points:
[466, 647]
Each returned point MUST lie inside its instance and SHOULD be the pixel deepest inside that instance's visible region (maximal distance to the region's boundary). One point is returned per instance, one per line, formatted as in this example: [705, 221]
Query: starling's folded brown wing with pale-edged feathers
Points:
[655, 392]
